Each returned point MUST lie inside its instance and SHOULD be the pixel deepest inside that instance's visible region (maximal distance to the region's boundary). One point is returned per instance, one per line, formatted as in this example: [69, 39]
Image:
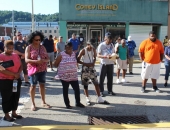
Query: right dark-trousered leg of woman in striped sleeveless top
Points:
[75, 86]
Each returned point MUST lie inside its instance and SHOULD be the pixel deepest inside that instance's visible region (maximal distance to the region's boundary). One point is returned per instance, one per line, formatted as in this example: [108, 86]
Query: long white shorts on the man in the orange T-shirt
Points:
[150, 70]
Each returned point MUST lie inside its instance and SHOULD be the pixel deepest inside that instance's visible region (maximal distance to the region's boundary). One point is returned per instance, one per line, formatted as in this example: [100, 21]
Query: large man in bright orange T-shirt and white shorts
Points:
[151, 52]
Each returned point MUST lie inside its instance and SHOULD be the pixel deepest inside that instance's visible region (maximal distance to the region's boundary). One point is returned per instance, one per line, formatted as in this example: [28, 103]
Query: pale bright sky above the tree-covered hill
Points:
[40, 6]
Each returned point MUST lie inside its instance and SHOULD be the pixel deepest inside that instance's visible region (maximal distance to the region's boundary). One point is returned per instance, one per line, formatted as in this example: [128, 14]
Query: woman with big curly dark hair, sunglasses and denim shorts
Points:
[37, 58]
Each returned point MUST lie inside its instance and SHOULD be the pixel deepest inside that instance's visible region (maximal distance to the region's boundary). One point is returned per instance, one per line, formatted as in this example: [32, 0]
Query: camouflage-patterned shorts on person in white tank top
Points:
[87, 74]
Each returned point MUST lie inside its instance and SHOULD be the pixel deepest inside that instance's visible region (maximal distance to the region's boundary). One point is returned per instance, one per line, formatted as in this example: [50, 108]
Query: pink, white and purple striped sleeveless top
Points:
[67, 69]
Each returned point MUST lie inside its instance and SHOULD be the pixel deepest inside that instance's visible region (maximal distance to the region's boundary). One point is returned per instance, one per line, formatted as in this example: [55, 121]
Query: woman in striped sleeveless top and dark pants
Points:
[67, 72]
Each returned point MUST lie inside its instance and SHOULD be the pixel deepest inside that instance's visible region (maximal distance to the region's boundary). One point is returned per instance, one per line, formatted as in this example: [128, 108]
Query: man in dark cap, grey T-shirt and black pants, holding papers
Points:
[104, 52]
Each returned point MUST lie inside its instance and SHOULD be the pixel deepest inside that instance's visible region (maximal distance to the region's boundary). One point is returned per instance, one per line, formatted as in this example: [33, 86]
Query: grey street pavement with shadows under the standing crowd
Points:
[127, 102]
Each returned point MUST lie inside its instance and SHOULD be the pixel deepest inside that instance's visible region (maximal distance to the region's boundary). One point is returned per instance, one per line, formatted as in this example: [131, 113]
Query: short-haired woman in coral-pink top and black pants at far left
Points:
[8, 77]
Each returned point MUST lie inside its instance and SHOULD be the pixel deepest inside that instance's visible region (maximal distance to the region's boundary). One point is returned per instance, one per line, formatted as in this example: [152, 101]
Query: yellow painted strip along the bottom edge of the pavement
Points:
[90, 127]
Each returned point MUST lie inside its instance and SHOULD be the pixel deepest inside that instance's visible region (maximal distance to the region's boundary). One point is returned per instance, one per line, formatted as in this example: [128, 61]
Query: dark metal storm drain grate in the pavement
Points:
[110, 120]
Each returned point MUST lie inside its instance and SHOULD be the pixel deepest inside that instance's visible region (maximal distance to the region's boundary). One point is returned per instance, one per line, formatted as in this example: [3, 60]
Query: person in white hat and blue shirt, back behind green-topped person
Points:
[131, 47]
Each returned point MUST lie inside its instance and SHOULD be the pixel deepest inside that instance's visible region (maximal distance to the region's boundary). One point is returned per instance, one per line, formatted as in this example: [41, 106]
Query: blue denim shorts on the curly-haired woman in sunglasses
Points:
[38, 77]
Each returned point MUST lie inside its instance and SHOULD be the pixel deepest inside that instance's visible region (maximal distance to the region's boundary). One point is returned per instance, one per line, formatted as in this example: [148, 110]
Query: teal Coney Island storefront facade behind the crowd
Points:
[120, 17]
